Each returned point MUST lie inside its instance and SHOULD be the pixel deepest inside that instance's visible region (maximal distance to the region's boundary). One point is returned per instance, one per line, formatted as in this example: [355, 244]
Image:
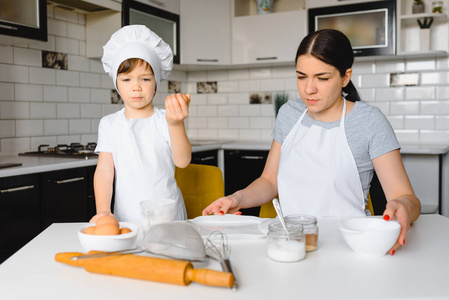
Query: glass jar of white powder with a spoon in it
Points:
[286, 248]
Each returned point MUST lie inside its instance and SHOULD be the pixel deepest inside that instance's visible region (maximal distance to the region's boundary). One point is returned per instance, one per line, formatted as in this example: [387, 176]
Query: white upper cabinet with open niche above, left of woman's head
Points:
[267, 38]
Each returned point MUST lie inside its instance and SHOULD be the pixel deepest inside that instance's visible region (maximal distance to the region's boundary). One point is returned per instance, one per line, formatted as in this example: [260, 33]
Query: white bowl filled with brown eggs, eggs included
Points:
[107, 234]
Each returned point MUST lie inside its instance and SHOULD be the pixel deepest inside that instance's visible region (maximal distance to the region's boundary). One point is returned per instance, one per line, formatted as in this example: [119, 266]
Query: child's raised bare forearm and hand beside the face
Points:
[177, 107]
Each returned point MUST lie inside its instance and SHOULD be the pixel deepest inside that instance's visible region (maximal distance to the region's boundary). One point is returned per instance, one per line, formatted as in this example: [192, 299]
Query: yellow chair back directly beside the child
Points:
[200, 185]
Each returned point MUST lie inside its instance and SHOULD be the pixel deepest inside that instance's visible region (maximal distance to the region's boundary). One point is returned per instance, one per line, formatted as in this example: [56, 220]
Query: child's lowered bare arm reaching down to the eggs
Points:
[103, 185]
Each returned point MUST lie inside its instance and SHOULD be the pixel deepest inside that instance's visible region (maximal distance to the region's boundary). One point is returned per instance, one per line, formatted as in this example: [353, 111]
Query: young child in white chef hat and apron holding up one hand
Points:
[140, 145]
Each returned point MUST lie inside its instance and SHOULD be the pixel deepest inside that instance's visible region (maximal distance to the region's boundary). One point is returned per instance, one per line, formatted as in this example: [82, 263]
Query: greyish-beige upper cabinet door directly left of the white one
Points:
[205, 32]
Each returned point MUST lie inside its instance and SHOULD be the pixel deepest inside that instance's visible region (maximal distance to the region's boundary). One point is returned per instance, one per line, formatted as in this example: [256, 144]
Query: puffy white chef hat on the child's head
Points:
[137, 41]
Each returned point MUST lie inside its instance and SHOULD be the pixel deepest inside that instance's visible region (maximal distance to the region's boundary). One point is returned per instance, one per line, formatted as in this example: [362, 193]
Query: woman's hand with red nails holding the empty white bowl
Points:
[396, 210]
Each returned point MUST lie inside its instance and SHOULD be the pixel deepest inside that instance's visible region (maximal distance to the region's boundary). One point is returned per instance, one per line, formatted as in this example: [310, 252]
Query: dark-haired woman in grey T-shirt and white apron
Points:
[327, 144]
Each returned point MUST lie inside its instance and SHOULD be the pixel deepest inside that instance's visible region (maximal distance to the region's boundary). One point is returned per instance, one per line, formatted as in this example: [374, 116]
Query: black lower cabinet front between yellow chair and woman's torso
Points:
[241, 167]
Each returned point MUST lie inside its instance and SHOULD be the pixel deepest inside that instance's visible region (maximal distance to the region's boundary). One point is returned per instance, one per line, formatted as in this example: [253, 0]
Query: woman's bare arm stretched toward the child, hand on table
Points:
[260, 191]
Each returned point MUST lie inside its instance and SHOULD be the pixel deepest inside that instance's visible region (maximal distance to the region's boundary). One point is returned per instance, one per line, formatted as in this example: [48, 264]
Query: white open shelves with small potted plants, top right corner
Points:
[409, 32]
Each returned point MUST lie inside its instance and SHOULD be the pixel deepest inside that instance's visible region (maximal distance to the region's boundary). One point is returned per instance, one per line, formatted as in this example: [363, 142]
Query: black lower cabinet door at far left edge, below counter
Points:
[19, 212]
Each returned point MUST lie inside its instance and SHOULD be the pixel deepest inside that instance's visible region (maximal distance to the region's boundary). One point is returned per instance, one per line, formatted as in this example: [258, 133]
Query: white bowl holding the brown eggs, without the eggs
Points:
[108, 242]
